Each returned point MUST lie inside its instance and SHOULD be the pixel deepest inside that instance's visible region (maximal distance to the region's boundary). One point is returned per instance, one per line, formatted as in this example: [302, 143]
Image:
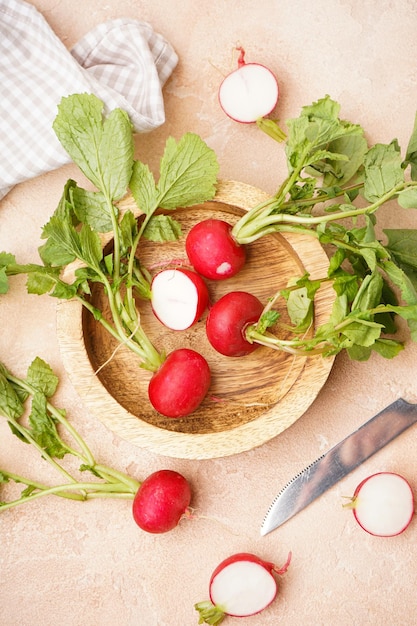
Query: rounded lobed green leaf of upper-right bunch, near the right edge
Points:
[383, 170]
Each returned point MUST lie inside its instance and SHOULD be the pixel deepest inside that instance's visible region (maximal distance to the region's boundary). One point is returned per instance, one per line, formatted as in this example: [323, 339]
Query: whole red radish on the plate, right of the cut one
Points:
[227, 320]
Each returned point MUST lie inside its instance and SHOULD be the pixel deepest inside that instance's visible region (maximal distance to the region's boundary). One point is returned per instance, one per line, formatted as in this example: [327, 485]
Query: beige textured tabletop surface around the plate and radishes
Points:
[88, 564]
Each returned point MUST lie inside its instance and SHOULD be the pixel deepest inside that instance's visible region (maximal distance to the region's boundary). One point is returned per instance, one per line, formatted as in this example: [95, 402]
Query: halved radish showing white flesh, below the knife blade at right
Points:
[383, 504]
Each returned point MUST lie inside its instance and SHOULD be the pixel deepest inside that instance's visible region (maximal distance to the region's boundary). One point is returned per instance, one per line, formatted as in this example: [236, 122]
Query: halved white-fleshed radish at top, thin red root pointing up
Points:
[248, 93]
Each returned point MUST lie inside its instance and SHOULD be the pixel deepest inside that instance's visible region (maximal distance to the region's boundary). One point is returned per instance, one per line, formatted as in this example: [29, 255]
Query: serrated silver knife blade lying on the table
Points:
[337, 462]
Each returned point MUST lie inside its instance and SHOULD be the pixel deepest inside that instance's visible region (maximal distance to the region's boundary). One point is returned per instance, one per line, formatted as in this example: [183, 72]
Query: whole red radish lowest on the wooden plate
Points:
[180, 384]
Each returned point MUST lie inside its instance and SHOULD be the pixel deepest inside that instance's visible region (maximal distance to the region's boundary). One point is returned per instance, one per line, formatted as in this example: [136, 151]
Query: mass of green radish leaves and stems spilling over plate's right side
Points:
[334, 188]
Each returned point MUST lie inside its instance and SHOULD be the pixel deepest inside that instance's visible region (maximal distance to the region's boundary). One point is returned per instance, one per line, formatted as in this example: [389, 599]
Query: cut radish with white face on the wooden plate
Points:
[179, 297]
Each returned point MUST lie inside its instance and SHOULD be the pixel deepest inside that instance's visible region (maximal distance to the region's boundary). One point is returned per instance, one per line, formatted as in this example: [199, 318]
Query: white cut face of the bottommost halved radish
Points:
[243, 588]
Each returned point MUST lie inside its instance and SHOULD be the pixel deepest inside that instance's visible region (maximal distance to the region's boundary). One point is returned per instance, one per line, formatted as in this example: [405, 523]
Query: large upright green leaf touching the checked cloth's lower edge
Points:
[102, 149]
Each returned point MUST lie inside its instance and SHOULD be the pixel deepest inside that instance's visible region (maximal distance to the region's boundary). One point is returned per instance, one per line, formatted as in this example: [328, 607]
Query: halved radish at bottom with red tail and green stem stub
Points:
[242, 585]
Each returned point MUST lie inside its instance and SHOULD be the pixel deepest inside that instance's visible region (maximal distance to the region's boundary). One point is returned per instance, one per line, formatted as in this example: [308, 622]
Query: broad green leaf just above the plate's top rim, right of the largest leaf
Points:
[188, 172]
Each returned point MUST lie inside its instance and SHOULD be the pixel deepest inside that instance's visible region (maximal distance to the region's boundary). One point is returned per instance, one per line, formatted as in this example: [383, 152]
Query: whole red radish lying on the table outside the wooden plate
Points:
[161, 500]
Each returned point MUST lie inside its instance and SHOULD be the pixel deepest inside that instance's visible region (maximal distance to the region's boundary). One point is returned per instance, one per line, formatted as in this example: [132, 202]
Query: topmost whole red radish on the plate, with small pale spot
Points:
[212, 250]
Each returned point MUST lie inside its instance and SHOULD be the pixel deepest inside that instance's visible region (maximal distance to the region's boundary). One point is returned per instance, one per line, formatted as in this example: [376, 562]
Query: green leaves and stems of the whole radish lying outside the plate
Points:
[26, 403]
